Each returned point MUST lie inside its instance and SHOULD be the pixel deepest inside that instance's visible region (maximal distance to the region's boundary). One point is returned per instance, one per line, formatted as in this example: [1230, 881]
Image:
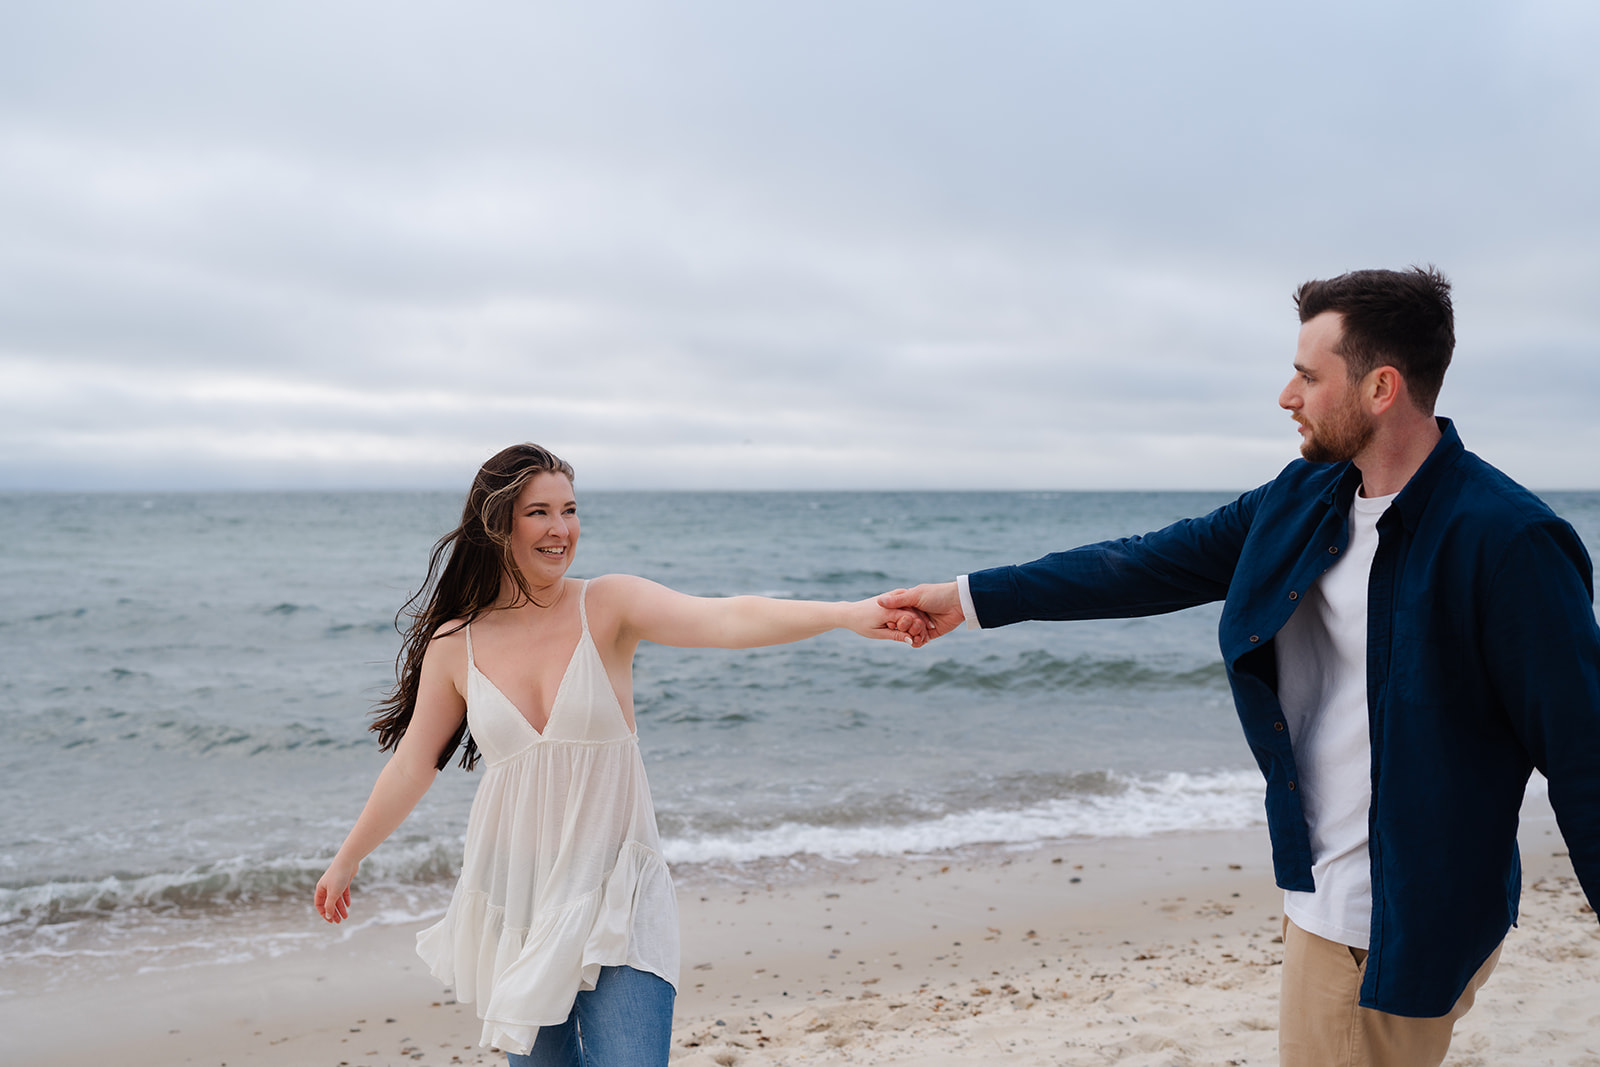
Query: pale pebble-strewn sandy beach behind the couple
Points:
[1154, 951]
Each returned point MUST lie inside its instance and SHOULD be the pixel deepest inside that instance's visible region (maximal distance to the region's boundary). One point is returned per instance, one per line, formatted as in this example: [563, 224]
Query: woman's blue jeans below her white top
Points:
[625, 1021]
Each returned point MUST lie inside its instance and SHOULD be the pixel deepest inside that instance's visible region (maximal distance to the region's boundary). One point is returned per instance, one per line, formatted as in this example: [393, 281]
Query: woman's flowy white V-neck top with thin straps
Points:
[562, 873]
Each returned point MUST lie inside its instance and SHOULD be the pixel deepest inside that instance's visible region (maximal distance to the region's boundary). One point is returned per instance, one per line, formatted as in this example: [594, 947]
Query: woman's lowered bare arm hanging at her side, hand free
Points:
[407, 777]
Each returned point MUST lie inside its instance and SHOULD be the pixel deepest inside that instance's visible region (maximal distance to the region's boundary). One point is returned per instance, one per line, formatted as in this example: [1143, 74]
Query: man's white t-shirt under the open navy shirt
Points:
[1322, 685]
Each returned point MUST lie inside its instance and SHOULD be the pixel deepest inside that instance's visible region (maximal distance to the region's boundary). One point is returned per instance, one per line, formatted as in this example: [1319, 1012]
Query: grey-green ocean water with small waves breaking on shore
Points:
[186, 681]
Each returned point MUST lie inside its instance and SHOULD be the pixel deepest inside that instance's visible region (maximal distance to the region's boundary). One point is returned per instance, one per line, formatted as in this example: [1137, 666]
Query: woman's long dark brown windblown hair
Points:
[463, 581]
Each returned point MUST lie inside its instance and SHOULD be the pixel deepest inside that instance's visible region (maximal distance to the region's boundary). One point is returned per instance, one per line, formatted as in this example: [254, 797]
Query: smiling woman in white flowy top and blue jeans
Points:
[564, 925]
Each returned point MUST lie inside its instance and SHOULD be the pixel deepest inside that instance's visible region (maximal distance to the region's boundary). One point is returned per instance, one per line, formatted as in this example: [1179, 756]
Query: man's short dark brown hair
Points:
[1399, 319]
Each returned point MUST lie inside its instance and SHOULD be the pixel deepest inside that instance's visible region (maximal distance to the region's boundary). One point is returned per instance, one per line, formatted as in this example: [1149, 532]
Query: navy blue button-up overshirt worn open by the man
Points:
[1482, 663]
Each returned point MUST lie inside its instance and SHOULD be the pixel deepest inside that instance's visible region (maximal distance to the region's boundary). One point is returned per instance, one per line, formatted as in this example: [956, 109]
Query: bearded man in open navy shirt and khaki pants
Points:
[1407, 634]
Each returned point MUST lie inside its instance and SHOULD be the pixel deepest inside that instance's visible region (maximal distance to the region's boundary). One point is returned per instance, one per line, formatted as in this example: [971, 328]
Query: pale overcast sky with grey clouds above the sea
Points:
[769, 246]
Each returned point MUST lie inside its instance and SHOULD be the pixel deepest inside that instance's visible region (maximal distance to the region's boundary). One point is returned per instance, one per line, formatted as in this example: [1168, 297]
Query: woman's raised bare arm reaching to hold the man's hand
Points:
[655, 613]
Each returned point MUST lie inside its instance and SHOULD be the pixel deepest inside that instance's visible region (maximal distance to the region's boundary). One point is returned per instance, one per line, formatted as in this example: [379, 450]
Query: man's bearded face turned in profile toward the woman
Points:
[1322, 398]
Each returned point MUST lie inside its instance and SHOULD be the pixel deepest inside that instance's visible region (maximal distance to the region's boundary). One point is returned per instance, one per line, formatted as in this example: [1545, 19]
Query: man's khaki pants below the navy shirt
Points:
[1322, 1025]
